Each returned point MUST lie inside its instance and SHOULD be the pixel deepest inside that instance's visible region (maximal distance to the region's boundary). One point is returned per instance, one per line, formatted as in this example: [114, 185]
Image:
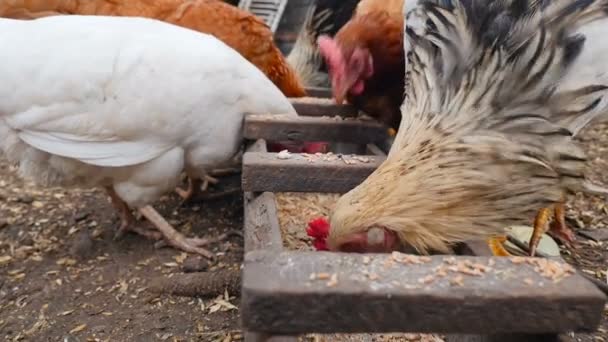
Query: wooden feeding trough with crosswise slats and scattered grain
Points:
[474, 297]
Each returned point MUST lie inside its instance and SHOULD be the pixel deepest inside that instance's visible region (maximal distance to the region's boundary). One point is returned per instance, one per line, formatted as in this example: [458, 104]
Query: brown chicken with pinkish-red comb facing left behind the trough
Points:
[366, 60]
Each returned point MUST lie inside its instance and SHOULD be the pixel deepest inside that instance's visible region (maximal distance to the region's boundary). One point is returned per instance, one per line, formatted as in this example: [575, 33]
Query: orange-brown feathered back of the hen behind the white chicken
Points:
[237, 28]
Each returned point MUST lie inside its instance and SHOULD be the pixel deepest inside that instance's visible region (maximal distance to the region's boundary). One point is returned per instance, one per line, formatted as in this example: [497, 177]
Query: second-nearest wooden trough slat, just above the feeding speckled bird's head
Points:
[266, 172]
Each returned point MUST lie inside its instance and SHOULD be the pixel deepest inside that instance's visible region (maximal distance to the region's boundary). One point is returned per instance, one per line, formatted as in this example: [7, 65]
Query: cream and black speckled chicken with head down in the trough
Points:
[486, 137]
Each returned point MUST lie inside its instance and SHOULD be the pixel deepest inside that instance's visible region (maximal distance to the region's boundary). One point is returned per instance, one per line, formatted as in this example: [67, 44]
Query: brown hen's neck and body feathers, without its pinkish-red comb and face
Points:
[379, 29]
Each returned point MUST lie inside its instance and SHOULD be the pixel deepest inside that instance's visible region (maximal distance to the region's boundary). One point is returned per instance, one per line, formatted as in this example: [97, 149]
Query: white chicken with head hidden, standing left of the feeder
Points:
[126, 104]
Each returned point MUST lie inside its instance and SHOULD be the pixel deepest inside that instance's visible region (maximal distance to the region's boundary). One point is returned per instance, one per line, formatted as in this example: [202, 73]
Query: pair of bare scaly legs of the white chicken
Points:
[172, 236]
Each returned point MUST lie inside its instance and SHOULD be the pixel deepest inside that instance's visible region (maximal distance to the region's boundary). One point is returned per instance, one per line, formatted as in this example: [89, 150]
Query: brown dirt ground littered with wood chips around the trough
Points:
[63, 278]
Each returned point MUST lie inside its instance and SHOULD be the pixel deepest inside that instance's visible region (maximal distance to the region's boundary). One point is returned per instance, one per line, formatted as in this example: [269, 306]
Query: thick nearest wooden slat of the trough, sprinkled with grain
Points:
[509, 298]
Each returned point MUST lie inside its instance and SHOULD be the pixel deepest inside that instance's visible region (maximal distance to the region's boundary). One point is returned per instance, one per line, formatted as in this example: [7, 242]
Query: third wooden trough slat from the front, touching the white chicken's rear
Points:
[300, 128]
